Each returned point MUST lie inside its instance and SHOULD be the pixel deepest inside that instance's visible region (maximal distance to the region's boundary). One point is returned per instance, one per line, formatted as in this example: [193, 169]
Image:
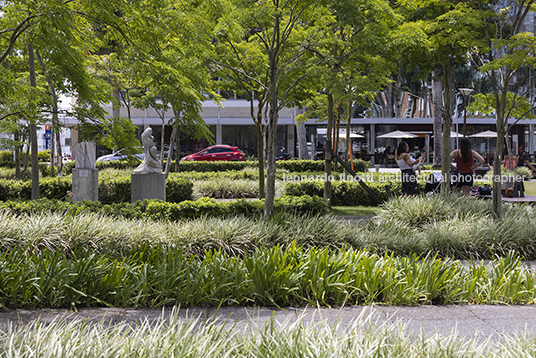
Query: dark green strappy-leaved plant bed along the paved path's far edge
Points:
[163, 275]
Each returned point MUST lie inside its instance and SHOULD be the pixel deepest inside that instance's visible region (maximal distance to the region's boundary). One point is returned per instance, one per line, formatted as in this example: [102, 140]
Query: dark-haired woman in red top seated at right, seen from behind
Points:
[465, 166]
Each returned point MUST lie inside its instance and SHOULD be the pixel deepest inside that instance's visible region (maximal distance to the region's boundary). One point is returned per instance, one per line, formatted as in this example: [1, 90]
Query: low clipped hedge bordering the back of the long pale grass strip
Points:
[159, 210]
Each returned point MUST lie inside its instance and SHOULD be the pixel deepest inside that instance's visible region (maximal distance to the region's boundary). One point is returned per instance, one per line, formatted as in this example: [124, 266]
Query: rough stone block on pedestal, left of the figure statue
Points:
[85, 175]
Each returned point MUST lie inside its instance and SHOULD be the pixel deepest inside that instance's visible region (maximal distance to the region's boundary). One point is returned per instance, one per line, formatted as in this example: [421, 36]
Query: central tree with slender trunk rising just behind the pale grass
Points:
[283, 33]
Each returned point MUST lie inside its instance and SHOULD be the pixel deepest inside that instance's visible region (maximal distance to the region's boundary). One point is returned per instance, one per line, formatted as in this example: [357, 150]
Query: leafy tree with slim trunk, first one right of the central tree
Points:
[353, 66]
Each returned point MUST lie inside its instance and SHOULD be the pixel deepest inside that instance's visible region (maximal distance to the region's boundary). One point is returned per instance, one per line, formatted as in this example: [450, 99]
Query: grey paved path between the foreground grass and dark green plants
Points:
[468, 321]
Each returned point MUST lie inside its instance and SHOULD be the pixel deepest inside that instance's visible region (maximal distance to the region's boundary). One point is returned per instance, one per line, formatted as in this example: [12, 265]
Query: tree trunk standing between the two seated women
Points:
[447, 122]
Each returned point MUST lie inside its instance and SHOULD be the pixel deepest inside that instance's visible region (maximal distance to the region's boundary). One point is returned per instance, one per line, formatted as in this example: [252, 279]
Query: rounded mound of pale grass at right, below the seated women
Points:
[452, 226]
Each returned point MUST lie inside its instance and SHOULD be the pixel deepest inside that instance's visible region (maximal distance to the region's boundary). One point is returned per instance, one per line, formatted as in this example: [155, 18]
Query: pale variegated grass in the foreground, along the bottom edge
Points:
[191, 337]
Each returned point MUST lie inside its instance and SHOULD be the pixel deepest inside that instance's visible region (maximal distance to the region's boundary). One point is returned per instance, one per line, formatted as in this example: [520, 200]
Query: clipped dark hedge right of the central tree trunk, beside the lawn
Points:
[348, 193]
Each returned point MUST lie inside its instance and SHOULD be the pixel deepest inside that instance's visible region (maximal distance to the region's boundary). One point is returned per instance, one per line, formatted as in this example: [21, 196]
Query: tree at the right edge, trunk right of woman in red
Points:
[507, 49]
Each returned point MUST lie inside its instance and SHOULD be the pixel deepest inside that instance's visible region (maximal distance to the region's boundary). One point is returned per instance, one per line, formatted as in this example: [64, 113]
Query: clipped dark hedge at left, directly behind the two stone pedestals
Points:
[111, 190]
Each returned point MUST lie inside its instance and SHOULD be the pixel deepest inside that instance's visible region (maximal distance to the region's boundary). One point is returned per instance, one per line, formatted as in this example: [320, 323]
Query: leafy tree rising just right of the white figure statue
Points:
[169, 57]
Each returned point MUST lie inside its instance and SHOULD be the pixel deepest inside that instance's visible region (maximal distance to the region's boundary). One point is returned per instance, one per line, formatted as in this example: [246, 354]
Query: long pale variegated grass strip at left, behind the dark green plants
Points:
[105, 233]
